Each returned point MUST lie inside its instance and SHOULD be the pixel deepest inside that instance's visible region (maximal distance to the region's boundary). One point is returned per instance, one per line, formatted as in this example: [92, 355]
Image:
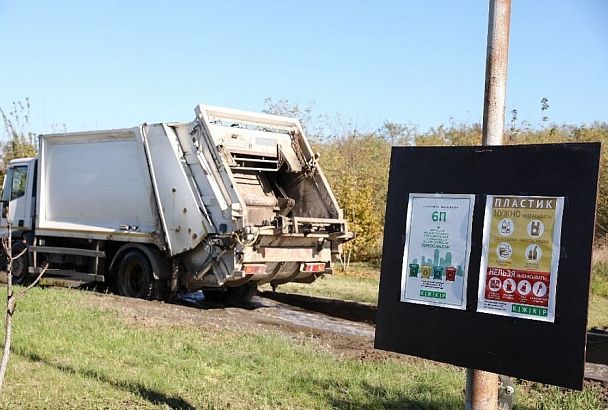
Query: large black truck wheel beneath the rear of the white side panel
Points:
[134, 277]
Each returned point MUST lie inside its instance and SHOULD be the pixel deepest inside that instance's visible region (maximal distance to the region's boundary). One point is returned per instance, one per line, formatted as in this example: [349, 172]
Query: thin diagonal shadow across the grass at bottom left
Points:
[153, 396]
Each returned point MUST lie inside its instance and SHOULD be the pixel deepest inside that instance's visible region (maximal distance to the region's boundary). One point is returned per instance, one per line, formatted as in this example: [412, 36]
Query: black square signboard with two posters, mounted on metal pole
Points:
[549, 351]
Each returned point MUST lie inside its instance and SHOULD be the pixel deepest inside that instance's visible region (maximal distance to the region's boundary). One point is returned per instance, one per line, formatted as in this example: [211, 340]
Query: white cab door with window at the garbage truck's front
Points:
[16, 198]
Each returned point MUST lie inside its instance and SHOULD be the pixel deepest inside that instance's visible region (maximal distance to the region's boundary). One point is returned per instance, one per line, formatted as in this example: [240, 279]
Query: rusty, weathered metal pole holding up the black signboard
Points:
[482, 386]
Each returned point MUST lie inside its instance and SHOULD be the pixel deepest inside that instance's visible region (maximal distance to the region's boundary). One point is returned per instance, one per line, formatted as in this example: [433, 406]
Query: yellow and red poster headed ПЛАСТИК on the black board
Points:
[520, 256]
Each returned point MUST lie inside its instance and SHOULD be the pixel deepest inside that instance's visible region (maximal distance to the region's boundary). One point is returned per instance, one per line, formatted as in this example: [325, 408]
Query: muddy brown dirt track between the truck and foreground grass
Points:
[342, 337]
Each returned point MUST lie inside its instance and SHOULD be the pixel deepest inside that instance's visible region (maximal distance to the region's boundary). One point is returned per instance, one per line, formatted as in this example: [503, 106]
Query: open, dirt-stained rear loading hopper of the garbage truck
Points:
[280, 221]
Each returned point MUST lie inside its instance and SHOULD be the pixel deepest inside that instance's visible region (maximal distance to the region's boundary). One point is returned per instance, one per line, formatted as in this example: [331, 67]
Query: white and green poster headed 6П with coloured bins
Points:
[437, 249]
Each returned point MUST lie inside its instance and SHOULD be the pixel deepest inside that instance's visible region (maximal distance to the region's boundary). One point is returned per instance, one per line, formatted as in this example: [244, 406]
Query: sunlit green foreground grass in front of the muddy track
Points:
[69, 353]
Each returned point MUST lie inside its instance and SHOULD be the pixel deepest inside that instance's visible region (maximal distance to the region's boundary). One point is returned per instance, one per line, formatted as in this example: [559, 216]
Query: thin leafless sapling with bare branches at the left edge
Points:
[11, 298]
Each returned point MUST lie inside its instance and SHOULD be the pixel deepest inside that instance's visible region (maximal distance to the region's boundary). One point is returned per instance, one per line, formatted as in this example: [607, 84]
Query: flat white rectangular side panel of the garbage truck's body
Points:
[96, 185]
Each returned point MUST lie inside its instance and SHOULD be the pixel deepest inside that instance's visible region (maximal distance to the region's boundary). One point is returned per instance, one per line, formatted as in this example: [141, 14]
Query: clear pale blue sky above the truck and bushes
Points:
[111, 64]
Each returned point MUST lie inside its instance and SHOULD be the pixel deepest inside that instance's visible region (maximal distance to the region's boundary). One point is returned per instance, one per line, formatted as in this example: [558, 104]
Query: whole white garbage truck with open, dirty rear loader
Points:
[221, 204]
